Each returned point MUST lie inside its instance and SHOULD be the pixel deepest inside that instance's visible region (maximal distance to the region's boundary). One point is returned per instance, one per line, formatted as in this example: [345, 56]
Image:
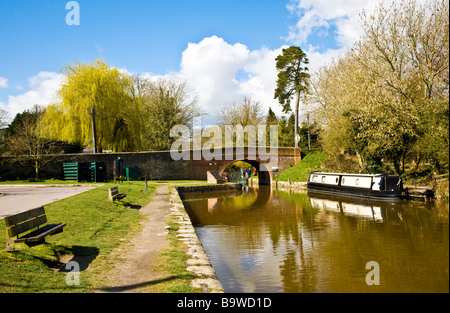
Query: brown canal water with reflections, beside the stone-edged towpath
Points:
[264, 240]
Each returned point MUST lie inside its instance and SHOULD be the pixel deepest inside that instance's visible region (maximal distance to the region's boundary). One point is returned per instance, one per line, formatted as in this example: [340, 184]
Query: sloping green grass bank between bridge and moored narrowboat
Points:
[300, 172]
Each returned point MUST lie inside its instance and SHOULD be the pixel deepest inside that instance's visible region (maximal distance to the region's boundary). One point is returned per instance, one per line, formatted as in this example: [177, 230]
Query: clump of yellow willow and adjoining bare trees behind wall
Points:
[131, 113]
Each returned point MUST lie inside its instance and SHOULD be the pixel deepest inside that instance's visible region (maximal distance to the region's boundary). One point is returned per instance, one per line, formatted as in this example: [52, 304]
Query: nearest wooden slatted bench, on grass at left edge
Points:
[19, 224]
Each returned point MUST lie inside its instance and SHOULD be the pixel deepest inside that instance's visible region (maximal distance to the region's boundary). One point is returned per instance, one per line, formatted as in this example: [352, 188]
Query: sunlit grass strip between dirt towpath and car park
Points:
[95, 226]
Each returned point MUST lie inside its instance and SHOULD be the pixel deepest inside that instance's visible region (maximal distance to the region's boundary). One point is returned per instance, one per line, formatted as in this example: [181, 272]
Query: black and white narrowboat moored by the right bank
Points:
[376, 186]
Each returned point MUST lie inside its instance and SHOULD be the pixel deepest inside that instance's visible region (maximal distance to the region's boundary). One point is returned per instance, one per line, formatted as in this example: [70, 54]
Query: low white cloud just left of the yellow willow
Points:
[42, 91]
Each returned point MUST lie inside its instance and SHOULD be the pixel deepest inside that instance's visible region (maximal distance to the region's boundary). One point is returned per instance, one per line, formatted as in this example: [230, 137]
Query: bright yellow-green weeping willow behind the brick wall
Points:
[110, 93]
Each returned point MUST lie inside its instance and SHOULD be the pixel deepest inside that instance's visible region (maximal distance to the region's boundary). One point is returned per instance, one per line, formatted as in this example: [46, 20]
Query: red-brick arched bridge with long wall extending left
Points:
[161, 165]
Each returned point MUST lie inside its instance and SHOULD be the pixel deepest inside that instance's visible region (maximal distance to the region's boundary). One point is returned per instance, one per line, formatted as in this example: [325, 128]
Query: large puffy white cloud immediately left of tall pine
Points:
[222, 73]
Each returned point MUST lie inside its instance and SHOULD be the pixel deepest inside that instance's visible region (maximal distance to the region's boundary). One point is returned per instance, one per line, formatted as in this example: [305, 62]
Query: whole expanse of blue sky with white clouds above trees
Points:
[224, 49]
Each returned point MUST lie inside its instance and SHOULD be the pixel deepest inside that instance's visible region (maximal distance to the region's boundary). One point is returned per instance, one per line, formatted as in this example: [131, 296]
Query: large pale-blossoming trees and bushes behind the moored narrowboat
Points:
[386, 101]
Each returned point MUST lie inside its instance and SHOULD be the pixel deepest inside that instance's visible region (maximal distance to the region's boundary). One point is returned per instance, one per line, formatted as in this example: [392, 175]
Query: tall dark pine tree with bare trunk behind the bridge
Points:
[293, 79]
